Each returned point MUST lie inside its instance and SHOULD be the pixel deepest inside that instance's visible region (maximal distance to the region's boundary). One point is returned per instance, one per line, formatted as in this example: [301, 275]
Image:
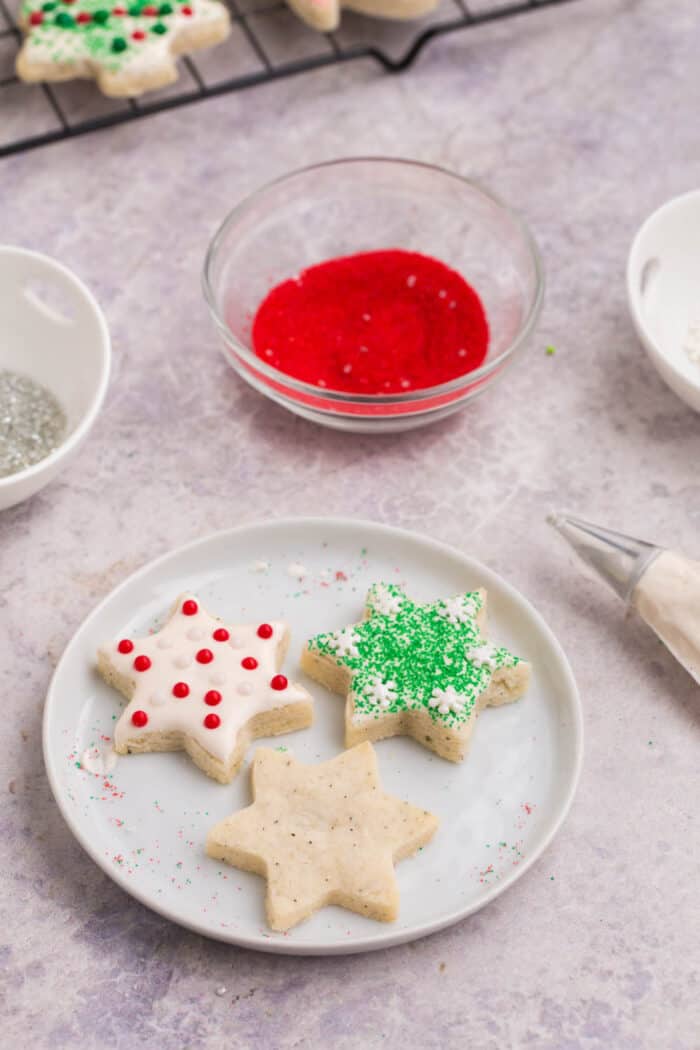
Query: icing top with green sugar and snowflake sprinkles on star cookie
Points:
[407, 656]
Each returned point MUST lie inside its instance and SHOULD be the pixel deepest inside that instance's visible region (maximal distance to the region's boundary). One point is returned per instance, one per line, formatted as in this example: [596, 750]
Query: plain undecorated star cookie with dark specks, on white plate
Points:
[323, 835]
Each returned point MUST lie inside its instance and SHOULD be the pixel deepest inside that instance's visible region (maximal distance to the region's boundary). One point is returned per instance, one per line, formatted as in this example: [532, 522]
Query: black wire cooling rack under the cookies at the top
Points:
[267, 43]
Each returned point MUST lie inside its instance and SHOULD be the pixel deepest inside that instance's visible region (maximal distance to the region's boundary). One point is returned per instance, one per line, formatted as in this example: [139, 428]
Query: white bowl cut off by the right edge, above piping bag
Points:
[664, 292]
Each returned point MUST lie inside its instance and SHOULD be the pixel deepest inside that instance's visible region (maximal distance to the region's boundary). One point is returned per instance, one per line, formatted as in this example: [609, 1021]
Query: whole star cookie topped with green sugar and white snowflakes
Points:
[419, 670]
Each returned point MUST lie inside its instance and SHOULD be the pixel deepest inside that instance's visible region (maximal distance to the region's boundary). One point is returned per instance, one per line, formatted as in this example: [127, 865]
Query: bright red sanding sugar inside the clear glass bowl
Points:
[377, 323]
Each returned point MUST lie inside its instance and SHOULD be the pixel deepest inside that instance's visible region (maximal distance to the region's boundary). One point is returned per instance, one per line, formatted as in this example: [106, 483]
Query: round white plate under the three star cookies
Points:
[145, 823]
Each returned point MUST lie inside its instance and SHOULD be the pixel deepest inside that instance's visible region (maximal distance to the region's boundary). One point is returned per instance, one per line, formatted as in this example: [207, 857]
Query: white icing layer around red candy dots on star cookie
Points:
[187, 716]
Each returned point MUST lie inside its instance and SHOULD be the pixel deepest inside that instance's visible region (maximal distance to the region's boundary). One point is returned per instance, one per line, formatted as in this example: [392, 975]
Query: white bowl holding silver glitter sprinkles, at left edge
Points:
[53, 331]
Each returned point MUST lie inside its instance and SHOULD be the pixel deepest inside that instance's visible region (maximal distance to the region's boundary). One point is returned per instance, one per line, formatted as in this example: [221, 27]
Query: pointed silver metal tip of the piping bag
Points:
[619, 559]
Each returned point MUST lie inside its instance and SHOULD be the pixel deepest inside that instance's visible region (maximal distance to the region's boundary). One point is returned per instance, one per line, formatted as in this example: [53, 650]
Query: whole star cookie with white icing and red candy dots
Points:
[204, 687]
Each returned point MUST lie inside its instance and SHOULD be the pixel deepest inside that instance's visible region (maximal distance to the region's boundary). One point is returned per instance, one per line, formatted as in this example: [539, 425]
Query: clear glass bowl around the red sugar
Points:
[363, 205]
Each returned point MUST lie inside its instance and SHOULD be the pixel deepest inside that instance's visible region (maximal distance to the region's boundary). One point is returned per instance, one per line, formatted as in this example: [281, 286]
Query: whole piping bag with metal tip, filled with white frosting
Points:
[663, 586]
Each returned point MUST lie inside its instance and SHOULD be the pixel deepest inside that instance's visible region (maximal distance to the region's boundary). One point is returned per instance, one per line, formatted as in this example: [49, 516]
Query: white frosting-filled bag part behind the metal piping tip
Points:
[668, 598]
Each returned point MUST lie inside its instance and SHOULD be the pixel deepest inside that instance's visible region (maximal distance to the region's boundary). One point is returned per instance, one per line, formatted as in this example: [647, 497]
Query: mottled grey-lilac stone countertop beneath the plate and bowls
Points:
[586, 119]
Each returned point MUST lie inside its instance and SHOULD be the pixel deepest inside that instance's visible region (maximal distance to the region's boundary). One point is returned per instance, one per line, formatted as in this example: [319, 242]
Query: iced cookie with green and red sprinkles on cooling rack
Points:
[130, 47]
